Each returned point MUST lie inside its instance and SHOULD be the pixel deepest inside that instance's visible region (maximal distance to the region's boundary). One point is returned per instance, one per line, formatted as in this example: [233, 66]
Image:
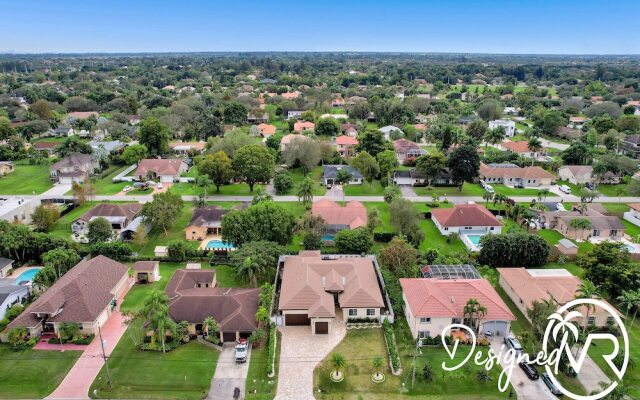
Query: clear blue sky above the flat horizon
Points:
[470, 26]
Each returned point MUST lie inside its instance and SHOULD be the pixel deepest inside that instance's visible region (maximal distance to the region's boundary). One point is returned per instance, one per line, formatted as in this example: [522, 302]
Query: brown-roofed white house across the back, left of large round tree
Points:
[120, 216]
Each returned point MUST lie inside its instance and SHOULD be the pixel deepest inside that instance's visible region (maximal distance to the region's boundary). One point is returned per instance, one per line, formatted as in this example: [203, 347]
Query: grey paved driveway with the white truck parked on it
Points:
[228, 375]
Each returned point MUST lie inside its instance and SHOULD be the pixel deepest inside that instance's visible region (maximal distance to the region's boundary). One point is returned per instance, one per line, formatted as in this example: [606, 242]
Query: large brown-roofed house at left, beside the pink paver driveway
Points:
[85, 295]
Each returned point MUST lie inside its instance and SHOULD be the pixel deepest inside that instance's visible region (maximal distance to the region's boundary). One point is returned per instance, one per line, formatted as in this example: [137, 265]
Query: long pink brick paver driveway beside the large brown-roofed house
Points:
[79, 379]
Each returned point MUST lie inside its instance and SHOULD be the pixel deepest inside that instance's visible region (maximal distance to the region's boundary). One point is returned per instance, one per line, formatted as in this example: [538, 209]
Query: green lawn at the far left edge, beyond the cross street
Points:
[26, 179]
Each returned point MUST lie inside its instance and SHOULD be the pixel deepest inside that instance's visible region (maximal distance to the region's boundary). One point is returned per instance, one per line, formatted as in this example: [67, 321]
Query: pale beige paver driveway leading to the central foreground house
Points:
[300, 353]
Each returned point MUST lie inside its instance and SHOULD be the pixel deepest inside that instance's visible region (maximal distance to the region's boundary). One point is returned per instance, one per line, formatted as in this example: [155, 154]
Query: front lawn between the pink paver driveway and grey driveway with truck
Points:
[184, 373]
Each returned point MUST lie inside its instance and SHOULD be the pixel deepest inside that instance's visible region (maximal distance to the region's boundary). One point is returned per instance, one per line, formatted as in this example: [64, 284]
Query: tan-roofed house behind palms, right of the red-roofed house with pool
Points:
[599, 227]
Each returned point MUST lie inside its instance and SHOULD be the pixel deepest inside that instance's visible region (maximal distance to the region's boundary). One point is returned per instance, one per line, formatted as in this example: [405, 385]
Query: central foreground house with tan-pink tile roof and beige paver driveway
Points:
[314, 290]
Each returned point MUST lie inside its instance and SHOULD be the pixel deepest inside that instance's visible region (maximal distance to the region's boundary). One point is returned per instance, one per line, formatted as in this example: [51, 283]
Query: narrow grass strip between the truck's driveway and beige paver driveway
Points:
[257, 378]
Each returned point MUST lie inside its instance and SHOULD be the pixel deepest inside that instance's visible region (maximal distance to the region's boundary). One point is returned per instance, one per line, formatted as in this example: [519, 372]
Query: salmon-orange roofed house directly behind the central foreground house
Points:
[353, 215]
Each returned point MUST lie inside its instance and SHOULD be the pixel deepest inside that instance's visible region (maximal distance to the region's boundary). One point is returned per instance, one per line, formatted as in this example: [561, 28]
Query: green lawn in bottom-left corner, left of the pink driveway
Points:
[32, 374]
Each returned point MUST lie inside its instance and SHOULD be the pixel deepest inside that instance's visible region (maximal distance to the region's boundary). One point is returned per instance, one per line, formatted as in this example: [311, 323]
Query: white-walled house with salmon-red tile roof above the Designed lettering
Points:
[432, 304]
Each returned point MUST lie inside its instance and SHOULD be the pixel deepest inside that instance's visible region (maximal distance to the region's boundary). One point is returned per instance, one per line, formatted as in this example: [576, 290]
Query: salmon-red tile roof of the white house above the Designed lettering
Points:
[430, 297]
